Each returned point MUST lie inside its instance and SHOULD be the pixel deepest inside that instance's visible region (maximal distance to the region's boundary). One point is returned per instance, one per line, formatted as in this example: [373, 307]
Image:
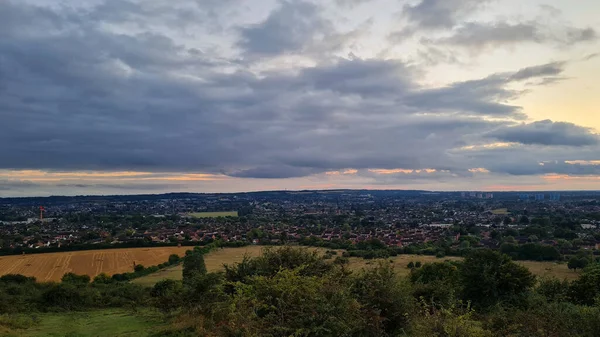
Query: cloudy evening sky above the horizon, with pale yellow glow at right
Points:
[133, 96]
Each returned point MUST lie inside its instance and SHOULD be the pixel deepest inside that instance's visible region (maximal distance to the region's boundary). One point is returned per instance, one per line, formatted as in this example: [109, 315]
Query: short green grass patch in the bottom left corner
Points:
[101, 323]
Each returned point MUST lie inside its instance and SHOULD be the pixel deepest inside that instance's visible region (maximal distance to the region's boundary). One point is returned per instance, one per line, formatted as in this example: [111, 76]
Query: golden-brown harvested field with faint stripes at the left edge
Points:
[52, 266]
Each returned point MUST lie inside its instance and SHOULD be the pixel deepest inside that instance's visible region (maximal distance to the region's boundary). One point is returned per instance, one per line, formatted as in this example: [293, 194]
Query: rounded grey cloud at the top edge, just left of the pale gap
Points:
[287, 29]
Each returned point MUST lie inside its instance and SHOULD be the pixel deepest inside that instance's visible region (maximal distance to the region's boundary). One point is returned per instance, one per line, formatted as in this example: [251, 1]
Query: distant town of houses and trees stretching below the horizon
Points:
[416, 221]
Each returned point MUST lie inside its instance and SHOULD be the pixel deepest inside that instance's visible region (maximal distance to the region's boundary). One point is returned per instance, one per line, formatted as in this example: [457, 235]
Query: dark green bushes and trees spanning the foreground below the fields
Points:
[296, 292]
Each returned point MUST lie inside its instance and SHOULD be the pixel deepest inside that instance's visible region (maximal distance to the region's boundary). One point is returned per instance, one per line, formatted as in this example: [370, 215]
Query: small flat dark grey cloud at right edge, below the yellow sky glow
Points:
[547, 133]
